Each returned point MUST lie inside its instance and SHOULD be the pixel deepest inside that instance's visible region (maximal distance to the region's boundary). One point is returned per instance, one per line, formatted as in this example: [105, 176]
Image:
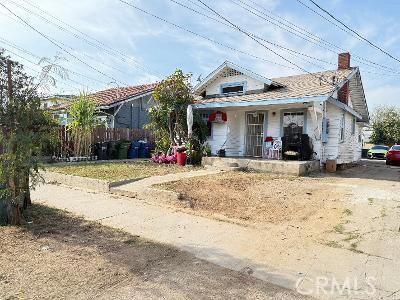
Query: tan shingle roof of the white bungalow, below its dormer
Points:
[295, 86]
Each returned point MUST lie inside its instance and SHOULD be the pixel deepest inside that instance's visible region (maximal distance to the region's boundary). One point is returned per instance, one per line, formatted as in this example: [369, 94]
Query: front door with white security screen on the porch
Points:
[254, 134]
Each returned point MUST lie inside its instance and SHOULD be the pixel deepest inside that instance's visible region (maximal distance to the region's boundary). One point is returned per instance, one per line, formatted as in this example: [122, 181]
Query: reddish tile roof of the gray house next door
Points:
[115, 95]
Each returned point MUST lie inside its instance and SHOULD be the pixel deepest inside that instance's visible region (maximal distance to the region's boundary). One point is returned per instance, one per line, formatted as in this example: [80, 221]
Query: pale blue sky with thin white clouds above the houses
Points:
[107, 43]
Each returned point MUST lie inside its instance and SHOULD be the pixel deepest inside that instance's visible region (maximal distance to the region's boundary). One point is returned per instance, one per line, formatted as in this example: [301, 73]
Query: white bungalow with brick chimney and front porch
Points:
[329, 107]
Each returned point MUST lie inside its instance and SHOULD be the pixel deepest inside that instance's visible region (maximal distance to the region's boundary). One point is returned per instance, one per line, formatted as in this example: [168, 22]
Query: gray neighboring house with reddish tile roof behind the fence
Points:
[125, 107]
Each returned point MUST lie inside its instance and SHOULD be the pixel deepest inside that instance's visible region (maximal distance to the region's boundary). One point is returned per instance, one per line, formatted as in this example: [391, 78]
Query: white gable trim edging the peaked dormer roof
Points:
[198, 89]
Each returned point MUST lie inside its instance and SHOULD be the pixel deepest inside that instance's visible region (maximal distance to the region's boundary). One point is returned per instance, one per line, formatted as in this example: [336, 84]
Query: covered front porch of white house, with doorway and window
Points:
[251, 129]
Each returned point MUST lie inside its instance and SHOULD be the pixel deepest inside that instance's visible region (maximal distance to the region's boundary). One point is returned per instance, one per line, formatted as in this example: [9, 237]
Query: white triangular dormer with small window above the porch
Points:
[230, 80]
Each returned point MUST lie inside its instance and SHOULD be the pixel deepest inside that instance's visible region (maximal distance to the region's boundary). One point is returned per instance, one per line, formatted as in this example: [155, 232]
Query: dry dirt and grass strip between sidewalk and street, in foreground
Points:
[58, 256]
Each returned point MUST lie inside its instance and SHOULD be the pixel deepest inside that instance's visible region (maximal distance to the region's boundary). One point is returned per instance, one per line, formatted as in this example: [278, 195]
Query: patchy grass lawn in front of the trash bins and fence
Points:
[120, 171]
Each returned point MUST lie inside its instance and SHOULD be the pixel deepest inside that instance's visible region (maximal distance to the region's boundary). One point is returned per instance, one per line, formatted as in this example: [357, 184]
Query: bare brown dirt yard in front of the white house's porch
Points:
[258, 197]
